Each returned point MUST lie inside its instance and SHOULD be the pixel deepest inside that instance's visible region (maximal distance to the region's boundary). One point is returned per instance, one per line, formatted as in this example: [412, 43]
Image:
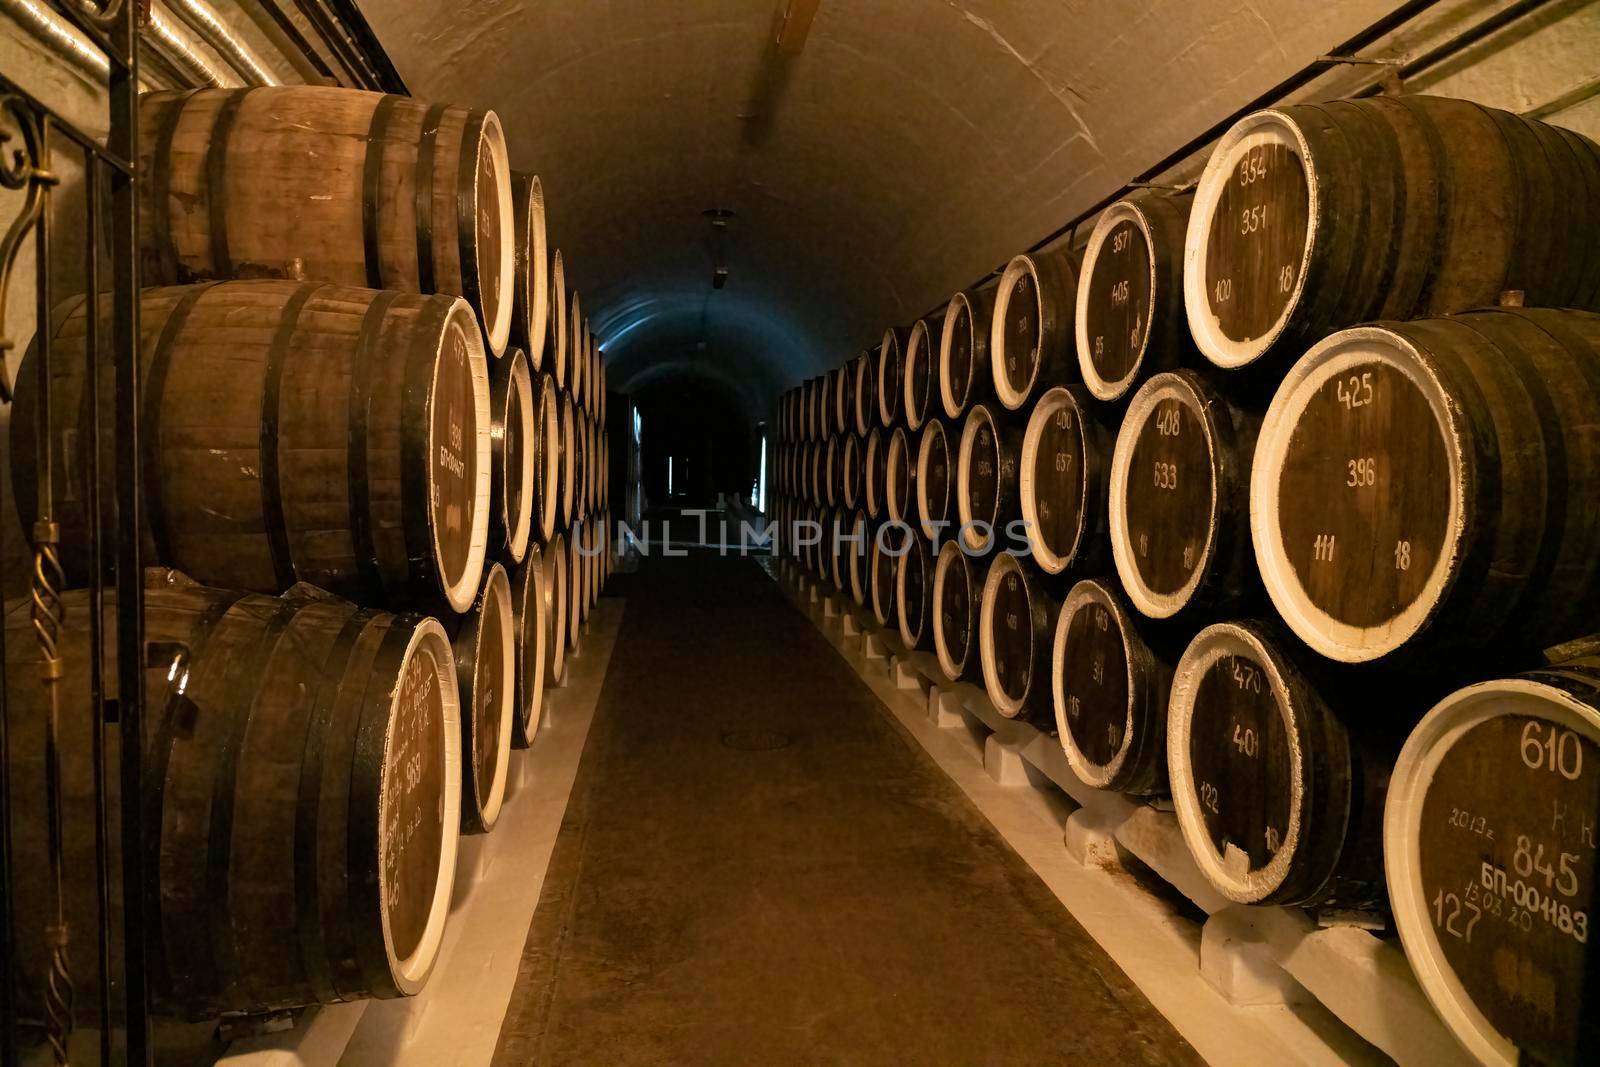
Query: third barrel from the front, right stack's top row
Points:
[1031, 334]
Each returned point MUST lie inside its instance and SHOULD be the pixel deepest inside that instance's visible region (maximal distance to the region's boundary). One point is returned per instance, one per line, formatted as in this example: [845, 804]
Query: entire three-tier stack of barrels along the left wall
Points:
[375, 482]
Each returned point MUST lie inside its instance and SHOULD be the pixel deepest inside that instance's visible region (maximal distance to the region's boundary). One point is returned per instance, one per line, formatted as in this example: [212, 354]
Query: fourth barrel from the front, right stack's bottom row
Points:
[1015, 639]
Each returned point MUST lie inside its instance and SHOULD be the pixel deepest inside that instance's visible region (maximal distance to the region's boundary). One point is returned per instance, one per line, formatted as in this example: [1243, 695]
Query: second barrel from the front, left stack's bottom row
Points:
[486, 647]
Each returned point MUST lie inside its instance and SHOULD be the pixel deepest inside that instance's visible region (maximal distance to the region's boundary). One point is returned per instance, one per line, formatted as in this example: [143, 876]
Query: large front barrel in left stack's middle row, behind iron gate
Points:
[287, 439]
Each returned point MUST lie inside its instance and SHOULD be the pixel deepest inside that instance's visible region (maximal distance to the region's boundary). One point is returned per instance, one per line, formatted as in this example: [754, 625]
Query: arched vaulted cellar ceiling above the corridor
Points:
[910, 148]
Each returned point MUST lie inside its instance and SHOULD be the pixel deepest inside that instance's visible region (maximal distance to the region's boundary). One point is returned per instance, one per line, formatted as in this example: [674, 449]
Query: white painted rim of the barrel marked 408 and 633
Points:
[1146, 601]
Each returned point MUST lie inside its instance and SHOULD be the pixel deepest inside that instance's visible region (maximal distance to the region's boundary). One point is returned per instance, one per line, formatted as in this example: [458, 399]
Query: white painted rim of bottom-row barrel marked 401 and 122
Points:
[1214, 644]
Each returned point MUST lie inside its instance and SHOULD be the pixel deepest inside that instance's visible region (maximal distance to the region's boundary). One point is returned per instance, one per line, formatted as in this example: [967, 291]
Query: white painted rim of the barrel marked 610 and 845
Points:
[1449, 722]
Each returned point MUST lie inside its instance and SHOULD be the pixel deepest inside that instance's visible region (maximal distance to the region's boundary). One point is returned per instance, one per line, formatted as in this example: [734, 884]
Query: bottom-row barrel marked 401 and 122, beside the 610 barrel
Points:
[1276, 804]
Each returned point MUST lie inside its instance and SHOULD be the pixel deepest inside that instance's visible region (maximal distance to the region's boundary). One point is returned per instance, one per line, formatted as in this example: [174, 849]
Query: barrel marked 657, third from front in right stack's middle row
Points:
[1062, 482]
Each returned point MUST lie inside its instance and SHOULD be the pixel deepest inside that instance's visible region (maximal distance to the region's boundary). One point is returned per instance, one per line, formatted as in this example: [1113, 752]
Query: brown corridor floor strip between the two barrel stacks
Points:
[756, 868]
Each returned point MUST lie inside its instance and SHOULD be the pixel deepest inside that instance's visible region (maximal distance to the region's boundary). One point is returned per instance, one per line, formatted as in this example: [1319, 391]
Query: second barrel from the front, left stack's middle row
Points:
[514, 457]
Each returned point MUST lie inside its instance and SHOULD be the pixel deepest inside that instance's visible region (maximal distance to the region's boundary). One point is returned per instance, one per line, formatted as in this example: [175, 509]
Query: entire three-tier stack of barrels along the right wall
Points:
[1228, 494]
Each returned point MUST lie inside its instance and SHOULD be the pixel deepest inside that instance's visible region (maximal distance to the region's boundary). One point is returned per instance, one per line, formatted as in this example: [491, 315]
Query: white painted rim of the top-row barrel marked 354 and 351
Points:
[1263, 127]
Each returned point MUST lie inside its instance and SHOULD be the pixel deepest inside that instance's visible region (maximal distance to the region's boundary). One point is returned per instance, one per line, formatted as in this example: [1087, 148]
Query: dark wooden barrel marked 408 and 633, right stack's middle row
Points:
[1180, 510]
